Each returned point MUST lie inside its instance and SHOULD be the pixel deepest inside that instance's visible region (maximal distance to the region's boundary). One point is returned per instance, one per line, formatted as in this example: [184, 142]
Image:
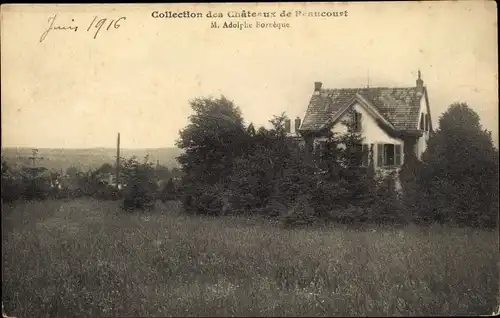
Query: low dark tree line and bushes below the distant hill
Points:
[141, 183]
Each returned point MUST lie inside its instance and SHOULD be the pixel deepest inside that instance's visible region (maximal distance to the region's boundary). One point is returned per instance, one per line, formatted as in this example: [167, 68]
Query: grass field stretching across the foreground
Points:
[87, 258]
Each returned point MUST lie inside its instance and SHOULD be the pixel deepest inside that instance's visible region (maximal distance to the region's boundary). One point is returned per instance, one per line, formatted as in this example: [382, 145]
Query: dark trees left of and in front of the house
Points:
[270, 170]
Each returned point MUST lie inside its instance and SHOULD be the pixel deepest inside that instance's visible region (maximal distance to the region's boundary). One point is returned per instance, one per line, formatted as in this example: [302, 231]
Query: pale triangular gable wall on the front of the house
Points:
[371, 130]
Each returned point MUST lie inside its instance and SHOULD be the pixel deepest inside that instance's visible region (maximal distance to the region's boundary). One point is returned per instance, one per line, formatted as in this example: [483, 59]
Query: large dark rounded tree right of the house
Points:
[460, 170]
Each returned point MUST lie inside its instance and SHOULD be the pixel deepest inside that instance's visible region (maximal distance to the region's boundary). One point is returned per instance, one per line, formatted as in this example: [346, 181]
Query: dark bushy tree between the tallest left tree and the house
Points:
[267, 172]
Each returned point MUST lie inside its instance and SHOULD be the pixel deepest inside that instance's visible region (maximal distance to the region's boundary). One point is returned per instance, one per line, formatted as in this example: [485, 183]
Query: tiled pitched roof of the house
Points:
[399, 106]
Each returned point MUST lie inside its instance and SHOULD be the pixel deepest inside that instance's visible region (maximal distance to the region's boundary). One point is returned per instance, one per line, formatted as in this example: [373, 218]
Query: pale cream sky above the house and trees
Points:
[74, 91]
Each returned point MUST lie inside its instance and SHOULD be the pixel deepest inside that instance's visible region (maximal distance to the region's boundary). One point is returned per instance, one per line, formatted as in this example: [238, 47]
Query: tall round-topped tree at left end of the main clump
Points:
[214, 137]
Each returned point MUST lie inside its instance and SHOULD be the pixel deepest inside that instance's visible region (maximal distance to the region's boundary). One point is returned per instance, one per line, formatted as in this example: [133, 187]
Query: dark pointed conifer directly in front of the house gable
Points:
[342, 190]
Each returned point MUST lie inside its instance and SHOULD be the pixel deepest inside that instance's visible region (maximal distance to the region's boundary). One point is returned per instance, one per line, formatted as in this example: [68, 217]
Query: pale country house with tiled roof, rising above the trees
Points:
[395, 123]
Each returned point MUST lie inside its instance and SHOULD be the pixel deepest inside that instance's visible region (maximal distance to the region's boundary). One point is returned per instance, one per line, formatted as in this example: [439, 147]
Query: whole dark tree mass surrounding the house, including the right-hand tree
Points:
[231, 168]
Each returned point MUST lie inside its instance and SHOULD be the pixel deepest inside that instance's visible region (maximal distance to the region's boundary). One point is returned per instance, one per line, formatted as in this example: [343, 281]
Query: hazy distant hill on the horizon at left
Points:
[84, 159]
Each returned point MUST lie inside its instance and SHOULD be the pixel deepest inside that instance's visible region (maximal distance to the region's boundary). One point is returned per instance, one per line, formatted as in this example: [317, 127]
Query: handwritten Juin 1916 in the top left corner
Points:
[95, 26]
